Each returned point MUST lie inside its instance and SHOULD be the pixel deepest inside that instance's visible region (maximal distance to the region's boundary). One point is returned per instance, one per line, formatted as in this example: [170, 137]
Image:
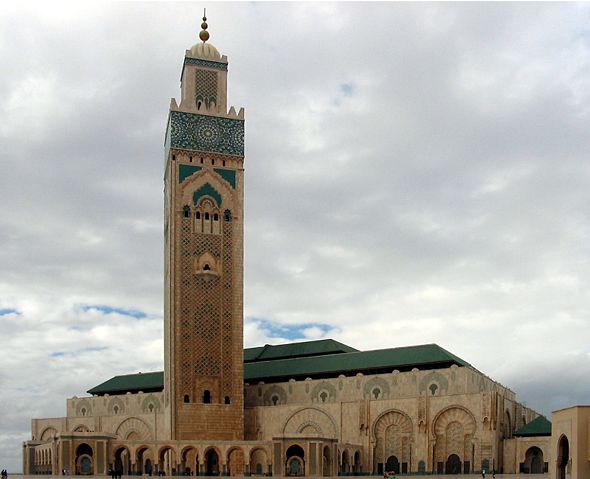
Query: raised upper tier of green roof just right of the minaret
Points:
[295, 350]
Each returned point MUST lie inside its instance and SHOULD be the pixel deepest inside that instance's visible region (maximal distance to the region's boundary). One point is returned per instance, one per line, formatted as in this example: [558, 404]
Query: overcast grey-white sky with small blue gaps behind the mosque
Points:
[415, 173]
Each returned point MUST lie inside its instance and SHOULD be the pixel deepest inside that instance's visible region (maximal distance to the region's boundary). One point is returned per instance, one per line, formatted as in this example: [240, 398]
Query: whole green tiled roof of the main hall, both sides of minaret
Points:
[314, 359]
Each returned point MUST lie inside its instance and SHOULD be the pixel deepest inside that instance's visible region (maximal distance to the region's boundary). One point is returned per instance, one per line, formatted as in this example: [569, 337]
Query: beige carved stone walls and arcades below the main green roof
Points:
[335, 425]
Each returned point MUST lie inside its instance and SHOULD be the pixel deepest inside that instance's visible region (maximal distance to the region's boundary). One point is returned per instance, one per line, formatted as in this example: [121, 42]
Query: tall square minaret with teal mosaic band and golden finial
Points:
[204, 211]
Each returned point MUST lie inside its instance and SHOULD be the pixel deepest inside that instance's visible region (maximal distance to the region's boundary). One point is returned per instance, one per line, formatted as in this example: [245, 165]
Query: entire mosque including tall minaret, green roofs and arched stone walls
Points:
[318, 408]
